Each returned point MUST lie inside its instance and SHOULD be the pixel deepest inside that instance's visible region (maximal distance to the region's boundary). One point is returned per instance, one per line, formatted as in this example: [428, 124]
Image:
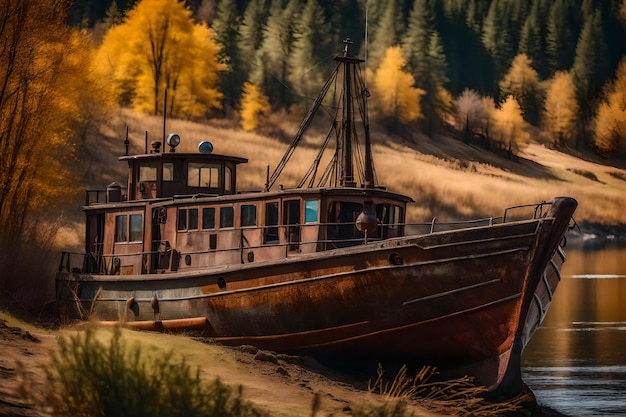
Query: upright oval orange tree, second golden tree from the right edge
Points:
[560, 109]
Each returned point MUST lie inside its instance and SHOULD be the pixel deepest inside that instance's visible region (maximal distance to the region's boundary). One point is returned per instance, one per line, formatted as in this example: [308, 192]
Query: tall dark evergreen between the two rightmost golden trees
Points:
[589, 69]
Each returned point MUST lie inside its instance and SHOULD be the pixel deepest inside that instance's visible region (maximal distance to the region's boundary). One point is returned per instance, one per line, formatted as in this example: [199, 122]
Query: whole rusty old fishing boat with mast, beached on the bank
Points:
[328, 267]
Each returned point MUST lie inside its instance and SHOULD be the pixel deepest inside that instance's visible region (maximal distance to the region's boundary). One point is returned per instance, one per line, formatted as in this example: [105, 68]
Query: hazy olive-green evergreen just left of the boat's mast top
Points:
[311, 56]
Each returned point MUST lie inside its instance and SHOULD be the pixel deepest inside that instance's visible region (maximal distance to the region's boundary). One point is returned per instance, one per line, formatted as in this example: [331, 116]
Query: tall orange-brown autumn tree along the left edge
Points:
[50, 93]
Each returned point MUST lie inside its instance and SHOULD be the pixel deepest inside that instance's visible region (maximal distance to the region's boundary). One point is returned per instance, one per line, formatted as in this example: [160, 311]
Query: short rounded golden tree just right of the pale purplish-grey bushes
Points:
[509, 128]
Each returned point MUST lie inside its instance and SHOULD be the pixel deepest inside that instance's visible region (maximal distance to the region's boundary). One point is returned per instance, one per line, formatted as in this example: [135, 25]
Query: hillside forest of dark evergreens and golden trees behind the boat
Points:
[478, 65]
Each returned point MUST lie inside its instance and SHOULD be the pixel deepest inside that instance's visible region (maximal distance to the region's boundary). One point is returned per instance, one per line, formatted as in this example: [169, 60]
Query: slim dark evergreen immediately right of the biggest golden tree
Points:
[226, 27]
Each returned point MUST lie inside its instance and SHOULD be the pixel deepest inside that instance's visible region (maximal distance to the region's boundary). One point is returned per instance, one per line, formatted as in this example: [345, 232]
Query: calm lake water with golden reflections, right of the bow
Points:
[576, 361]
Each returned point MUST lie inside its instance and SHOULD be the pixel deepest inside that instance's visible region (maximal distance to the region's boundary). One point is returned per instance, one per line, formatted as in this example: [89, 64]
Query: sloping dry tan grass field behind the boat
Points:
[447, 178]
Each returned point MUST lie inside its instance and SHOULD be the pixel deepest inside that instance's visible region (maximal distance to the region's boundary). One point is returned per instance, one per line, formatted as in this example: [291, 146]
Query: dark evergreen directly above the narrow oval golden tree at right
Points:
[560, 40]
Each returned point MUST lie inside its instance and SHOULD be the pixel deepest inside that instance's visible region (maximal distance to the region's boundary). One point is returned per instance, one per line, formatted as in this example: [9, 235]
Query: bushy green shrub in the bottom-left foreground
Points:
[90, 378]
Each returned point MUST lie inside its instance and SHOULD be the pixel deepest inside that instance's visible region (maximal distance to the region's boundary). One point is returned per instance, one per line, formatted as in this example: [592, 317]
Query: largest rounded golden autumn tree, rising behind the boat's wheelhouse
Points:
[158, 47]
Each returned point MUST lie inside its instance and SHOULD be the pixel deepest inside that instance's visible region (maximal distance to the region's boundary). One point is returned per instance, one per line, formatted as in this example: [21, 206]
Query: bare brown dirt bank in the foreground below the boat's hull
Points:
[284, 388]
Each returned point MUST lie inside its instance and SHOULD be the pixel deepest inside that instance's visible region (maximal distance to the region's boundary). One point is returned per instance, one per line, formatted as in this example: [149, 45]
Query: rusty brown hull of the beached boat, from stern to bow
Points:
[463, 299]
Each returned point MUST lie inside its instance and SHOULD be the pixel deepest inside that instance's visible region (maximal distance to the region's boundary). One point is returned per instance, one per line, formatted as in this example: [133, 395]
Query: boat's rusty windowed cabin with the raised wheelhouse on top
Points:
[183, 211]
